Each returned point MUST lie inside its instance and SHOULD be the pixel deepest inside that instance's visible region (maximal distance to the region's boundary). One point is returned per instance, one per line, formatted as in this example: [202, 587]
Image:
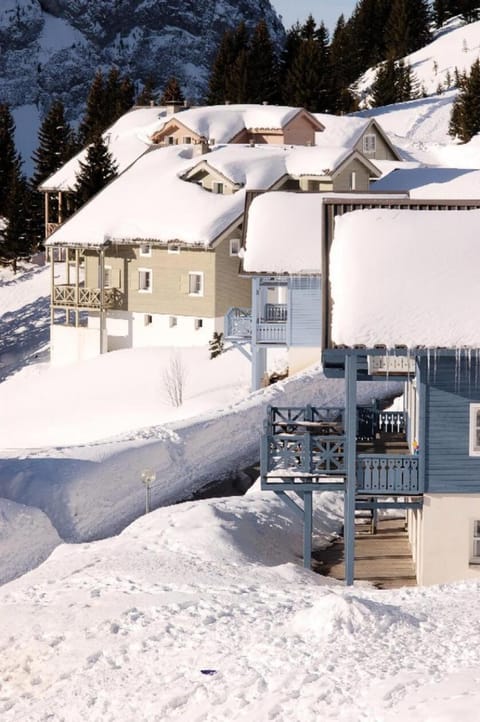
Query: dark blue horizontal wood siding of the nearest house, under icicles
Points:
[450, 389]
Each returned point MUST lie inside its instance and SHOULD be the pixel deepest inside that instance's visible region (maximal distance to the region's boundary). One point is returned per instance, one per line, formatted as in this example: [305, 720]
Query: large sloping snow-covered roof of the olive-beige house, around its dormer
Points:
[150, 201]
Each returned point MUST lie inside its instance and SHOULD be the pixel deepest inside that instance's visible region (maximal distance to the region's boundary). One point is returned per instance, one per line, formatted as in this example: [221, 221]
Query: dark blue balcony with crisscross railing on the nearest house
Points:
[304, 447]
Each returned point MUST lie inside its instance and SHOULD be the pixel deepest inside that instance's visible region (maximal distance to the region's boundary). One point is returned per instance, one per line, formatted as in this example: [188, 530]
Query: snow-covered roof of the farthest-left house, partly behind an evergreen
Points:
[124, 140]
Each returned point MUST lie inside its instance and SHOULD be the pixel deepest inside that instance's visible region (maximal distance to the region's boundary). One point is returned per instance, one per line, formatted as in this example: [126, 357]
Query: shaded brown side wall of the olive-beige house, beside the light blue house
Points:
[231, 290]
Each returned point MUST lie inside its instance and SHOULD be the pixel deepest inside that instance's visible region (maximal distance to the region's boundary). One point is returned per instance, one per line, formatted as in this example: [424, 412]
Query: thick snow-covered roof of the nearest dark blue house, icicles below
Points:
[406, 277]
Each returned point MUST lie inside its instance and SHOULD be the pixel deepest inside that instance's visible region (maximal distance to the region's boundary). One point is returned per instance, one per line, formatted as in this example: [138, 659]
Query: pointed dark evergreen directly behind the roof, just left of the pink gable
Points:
[262, 67]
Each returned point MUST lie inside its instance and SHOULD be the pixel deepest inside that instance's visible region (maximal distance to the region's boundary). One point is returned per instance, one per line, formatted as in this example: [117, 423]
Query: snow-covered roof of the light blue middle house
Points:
[284, 233]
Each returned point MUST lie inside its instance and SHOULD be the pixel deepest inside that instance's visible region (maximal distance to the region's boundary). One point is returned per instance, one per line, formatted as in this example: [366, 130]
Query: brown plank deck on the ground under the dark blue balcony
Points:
[384, 558]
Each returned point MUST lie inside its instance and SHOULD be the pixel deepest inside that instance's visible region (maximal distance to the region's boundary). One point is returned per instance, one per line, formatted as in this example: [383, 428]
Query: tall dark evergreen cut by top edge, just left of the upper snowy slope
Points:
[408, 27]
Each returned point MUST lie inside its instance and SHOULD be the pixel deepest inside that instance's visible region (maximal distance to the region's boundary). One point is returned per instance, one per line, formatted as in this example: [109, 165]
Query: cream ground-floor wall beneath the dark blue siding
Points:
[445, 536]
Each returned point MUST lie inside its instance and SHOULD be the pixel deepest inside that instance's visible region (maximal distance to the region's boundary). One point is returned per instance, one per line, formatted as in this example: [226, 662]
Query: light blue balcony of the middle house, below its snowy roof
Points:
[271, 327]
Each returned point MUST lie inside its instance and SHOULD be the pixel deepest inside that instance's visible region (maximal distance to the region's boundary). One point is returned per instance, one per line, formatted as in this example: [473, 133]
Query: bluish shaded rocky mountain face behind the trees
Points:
[54, 47]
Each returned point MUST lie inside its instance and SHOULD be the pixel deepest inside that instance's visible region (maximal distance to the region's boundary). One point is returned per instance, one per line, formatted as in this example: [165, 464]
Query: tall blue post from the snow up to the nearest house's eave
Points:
[350, 450]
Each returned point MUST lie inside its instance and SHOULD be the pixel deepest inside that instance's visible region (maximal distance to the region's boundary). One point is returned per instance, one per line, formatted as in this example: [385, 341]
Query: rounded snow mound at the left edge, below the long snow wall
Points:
[27, 537]
